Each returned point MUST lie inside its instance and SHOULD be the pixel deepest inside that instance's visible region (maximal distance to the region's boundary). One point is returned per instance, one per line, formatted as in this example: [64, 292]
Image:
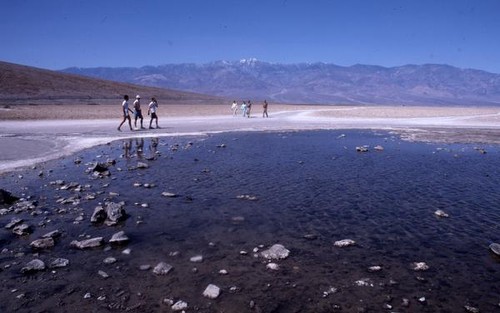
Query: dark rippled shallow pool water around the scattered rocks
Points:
[305, 183]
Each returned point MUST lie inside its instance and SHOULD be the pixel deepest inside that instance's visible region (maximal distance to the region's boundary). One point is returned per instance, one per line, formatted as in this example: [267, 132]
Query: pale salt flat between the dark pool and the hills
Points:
[33, 134]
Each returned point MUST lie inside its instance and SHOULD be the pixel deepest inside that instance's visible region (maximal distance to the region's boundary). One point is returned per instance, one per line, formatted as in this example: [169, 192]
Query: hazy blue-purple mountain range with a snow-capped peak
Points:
[429, 84]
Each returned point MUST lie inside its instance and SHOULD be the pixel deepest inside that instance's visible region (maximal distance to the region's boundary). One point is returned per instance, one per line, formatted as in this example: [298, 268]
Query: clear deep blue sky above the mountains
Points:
[56, 34]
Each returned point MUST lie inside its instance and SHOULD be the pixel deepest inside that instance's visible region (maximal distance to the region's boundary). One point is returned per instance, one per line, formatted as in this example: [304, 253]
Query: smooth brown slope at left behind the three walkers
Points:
[28, 85]
